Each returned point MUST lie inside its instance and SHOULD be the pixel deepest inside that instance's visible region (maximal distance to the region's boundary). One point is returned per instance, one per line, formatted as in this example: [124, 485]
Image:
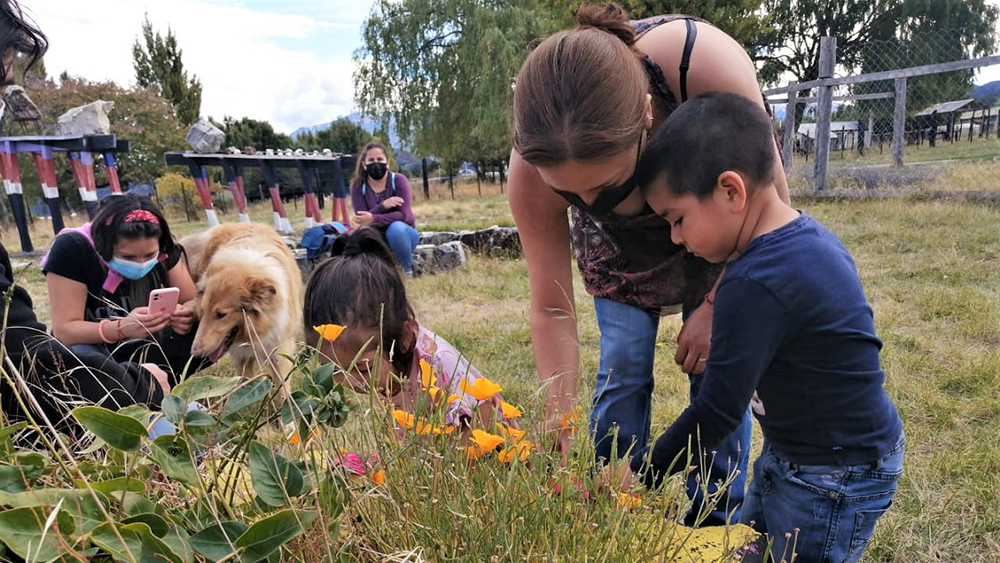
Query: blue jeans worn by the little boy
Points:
[833, 507]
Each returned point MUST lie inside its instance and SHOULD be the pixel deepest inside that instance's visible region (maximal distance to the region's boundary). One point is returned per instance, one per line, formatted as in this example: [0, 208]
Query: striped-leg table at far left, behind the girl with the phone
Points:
[81, 149]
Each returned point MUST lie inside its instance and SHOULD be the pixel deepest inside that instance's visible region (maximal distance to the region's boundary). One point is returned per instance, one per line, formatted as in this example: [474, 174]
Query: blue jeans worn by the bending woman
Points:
[622, 401]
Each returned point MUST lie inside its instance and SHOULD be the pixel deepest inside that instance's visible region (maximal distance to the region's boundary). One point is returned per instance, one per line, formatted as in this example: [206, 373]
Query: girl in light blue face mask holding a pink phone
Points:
[100, 276]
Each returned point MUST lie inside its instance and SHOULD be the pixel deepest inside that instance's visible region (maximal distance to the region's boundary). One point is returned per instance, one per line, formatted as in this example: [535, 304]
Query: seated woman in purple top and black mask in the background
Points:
[382, 200]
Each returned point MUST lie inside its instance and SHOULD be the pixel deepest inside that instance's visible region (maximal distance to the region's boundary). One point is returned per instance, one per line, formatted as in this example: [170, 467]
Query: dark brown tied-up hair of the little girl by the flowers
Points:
[361, 288]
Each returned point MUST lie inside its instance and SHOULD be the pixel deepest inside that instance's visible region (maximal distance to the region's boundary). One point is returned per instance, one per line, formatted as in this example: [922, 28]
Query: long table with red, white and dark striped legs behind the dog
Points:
[233, 166]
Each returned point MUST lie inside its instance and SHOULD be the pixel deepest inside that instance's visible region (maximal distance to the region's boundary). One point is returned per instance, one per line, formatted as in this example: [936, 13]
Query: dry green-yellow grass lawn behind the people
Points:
[930, 271]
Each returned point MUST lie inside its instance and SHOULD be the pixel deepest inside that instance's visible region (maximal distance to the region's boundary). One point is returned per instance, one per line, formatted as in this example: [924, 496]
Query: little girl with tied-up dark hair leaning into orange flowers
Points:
[361, 289]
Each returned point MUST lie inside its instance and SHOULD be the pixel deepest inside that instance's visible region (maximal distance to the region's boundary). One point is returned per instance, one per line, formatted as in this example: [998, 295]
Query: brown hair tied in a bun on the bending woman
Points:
[581, 94]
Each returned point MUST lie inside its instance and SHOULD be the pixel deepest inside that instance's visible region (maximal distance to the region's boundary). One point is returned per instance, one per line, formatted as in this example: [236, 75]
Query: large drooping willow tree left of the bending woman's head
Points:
[444, 70]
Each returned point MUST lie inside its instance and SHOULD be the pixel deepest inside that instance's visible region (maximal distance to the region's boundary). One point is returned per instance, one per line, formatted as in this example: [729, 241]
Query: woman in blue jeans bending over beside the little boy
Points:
[577, 140]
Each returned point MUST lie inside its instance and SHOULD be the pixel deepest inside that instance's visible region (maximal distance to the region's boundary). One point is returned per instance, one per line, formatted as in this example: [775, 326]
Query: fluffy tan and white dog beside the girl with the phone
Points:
[248, 282]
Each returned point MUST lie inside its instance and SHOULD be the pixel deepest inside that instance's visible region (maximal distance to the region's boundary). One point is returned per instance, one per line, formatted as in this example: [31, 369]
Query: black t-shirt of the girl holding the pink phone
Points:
[74, 258]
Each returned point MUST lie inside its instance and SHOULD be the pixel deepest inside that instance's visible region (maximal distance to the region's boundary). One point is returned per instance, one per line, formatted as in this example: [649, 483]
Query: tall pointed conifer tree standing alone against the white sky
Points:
[157, 63]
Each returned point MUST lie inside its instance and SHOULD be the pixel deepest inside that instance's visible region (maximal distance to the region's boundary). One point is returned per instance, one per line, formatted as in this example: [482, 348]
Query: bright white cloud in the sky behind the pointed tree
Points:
[240, 54]
